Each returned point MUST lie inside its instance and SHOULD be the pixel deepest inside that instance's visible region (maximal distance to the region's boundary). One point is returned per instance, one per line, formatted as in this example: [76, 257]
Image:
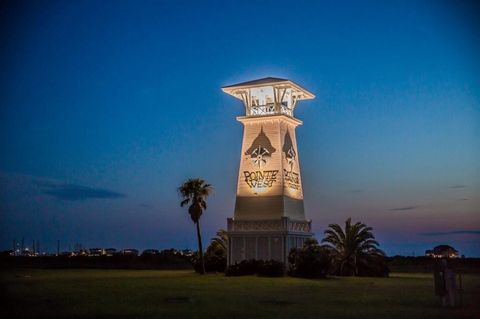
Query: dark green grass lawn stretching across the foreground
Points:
[183, 294]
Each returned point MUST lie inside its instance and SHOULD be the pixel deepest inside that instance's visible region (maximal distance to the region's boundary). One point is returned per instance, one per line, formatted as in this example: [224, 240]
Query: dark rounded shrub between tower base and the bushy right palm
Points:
[310, 261]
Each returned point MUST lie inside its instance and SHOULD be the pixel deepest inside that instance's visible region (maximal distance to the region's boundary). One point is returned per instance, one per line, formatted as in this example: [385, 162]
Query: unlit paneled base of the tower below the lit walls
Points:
[265, 239]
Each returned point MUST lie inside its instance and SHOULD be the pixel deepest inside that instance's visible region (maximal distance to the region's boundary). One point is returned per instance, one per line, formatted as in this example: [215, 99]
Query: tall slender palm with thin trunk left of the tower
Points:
[194, 191]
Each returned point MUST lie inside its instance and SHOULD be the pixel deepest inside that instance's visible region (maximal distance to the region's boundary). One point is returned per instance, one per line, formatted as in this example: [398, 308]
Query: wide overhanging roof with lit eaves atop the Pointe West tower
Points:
[301, 93]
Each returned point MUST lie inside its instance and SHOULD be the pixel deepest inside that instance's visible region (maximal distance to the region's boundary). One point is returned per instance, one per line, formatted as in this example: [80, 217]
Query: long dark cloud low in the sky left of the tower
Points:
[74, 192]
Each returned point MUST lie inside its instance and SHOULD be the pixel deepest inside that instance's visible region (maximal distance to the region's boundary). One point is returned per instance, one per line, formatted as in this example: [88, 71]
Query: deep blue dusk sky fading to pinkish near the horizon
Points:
[106, 107]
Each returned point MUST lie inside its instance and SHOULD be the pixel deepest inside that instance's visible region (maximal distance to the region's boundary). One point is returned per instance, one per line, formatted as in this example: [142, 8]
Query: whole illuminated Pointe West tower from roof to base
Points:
[269, 218]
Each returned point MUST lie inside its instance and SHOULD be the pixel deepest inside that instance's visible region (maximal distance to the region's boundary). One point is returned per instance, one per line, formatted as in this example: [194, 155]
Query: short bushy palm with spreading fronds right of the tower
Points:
[351, 247]
